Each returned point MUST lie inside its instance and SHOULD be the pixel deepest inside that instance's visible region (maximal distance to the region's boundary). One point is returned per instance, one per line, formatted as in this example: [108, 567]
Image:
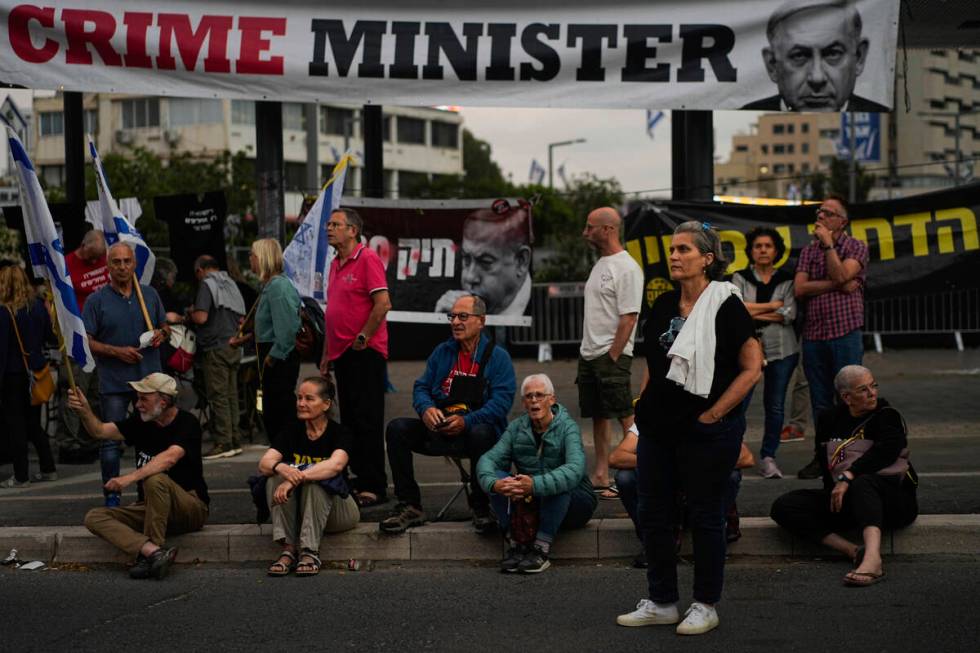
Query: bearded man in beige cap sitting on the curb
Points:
[173, 497]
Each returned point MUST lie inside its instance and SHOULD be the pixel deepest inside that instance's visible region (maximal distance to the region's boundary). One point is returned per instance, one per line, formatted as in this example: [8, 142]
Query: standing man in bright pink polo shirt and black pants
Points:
[356, 345]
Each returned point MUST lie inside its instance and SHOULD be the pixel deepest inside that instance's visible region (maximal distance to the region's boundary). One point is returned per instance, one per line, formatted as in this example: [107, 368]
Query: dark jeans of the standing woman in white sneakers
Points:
[698, 459]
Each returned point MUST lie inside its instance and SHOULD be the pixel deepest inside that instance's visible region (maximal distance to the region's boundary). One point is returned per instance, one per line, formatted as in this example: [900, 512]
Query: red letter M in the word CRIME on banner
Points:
[190, 42]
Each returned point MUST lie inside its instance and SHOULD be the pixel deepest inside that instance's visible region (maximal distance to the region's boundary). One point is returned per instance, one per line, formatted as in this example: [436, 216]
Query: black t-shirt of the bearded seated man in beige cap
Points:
[149, 439]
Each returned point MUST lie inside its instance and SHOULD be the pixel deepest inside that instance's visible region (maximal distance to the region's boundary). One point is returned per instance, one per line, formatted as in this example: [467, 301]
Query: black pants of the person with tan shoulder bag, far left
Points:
[23, 425]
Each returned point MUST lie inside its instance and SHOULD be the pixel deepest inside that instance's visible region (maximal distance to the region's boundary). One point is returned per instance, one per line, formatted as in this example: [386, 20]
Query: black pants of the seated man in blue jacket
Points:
[405, 435]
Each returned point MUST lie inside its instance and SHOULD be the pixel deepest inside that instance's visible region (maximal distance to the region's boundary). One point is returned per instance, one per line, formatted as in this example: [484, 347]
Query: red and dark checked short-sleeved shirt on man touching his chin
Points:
[834, 313]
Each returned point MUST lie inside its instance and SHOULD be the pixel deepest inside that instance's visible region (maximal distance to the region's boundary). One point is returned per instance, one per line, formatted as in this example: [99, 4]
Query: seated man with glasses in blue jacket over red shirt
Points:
[462, 400]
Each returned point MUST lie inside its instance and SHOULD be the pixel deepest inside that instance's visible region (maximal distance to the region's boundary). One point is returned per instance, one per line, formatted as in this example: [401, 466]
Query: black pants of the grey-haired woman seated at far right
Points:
[871, 500]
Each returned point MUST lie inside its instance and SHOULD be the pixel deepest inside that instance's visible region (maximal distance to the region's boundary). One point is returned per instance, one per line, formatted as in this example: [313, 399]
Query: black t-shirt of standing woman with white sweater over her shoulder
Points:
[664, 404]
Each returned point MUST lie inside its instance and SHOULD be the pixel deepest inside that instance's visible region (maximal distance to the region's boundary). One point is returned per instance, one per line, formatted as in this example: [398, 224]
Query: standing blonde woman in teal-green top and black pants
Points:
[276, 324]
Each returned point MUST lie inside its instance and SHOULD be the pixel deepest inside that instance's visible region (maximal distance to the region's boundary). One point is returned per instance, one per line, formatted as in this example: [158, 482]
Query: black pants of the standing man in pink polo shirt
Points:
[361, 391]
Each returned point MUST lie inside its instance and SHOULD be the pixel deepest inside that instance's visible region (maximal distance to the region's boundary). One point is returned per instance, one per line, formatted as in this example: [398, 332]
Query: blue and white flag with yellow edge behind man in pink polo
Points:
[308, 255]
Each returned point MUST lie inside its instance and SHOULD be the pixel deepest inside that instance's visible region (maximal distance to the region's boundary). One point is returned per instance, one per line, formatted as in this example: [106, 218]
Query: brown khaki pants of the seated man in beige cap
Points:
[168, 509]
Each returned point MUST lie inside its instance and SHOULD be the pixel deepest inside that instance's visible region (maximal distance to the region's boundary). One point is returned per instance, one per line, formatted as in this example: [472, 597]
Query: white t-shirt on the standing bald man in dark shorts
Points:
[614, 288]
